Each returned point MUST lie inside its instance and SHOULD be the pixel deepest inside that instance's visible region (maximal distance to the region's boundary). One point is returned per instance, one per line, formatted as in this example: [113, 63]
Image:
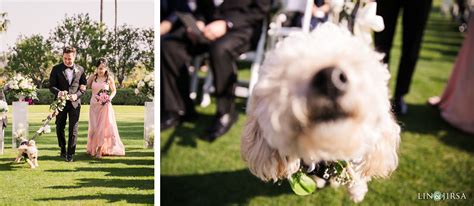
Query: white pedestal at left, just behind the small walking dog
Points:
[19, 122]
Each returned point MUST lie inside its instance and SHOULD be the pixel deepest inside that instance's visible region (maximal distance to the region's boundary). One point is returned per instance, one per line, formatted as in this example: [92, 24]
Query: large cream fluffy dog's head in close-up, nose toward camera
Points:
[322, 96]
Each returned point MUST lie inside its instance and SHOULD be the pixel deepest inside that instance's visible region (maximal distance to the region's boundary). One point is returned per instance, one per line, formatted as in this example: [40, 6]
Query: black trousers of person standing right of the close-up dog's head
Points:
[415, 15]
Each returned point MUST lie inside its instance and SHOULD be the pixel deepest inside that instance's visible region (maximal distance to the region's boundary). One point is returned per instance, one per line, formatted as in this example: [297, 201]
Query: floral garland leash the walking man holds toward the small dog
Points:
[55, 107]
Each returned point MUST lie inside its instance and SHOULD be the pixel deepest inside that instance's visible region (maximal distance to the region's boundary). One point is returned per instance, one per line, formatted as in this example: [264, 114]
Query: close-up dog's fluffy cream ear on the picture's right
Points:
[383, 158]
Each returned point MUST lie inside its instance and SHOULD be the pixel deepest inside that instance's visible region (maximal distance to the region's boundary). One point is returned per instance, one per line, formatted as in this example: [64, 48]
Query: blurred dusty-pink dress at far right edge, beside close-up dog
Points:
[457, 102]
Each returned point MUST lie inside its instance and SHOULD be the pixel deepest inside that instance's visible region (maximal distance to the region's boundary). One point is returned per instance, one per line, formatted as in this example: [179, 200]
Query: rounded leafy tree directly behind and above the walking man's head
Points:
[85, 35]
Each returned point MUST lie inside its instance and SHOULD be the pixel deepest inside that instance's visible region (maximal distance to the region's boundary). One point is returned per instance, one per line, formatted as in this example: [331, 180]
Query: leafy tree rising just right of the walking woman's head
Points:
[127, 53]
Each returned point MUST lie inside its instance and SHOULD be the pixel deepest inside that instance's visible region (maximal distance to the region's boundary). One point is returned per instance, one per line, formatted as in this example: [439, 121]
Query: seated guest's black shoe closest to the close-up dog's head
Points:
[221, 126]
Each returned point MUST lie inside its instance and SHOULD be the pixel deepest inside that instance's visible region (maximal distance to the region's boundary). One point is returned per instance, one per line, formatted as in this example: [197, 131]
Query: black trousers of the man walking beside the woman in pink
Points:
[73, 114]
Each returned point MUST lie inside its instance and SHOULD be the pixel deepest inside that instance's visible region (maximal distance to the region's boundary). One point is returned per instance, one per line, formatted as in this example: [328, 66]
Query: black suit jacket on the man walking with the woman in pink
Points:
[58, 82]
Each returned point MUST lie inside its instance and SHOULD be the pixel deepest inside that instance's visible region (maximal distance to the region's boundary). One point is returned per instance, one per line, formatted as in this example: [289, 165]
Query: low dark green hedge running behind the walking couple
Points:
[123, 97]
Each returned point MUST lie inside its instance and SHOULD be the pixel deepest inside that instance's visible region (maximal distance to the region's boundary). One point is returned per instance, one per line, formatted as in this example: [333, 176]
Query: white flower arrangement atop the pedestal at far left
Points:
[22, 88]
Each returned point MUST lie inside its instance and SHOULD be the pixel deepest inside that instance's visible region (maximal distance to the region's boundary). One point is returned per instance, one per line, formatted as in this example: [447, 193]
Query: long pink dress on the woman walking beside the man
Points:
[103, 134]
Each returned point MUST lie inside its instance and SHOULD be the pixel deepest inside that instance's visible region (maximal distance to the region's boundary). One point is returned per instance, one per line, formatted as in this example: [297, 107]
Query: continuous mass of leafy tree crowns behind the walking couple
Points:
[124, 49]
